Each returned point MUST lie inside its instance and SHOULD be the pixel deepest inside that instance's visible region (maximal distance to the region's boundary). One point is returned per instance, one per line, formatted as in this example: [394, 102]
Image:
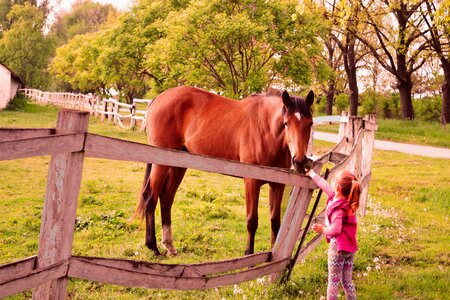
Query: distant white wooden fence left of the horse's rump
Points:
[109, 109]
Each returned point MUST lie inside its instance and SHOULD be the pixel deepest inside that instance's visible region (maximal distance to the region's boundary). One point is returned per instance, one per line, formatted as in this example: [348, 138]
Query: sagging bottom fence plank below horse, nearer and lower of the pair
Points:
[94, 272]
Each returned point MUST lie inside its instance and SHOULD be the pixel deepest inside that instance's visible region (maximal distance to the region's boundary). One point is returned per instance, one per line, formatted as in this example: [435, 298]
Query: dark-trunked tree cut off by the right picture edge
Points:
[436, 17]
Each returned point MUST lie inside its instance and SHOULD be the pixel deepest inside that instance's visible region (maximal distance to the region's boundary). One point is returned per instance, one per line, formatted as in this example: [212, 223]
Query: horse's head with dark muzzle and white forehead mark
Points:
[297, 120]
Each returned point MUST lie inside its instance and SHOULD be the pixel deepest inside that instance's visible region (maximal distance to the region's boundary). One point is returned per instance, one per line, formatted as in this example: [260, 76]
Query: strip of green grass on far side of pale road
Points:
[413, 132]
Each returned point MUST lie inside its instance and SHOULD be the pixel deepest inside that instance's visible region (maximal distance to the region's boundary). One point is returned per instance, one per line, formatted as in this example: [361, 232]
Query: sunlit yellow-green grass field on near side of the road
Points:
[404, 239]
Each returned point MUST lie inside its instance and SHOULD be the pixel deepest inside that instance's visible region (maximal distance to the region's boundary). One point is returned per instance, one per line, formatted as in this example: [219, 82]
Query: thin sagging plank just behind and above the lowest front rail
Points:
[195, 270]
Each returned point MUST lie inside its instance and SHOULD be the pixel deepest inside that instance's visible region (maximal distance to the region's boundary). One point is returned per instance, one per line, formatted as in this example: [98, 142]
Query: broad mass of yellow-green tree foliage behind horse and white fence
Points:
[238, 49]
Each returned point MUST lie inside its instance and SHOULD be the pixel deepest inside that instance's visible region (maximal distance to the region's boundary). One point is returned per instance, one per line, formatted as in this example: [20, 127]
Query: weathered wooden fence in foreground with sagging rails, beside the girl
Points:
[69, 143]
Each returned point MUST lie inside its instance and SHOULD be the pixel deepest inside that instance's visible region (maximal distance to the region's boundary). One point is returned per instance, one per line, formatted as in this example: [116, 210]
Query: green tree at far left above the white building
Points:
[24, 48]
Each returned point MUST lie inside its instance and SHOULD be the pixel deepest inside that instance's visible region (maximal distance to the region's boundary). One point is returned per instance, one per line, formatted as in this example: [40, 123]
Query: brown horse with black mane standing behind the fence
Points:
[269, 130]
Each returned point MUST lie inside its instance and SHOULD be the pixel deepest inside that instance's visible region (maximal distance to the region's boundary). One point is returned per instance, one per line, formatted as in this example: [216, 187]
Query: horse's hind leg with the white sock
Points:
[173, 181]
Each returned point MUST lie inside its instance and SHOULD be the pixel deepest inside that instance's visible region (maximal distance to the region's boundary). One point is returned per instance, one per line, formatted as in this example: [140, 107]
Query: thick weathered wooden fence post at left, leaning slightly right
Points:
[60, 204]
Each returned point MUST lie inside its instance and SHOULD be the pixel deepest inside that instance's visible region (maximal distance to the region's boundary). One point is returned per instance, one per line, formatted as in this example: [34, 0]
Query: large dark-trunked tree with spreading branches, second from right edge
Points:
[398, 26]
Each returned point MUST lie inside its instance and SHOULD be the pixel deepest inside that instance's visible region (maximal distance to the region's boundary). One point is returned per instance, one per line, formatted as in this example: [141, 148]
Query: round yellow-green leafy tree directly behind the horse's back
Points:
[238, 47]
